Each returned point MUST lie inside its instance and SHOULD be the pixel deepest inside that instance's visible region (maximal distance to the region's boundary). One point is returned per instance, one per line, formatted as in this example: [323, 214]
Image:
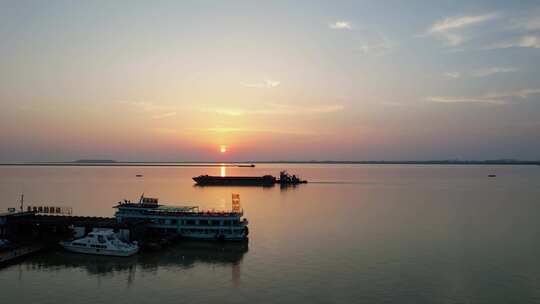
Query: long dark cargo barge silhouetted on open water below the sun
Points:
[265, 180]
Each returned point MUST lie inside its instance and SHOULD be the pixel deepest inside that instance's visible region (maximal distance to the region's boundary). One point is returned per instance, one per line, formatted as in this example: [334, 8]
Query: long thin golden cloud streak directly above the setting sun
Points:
[277, 109]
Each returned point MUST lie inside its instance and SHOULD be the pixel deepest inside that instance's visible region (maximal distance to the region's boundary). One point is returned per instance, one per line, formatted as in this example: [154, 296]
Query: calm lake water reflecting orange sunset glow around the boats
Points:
[357, 233]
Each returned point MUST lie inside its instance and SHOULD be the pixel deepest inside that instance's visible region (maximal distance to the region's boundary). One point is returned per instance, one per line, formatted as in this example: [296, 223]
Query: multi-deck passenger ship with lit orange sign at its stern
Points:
[187, 221]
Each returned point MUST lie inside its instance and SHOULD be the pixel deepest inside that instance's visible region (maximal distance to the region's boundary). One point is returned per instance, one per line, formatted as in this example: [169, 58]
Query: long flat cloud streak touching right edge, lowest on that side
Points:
[490, 98]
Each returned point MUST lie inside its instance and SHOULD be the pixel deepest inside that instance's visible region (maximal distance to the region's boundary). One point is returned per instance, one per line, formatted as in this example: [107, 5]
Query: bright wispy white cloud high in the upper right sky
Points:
[450, 29]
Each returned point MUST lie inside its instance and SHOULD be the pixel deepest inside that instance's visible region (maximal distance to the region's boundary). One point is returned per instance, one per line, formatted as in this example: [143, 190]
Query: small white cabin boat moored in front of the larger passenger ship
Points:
[101, 243]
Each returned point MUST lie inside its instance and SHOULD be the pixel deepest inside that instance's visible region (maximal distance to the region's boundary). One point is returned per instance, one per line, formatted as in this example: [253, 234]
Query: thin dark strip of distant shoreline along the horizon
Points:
[112, 163]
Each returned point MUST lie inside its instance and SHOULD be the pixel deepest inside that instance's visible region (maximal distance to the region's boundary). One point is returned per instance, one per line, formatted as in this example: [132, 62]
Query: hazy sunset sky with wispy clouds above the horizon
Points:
[269, 80]
